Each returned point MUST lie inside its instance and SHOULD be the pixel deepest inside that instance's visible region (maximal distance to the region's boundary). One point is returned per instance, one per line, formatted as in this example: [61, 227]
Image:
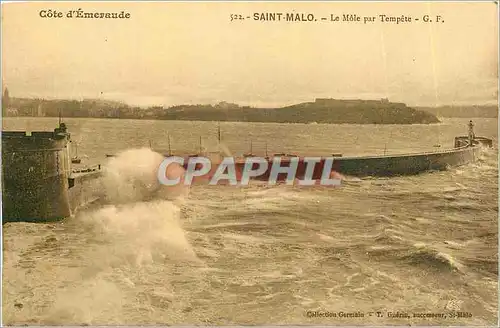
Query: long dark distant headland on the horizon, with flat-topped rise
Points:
[321, 110]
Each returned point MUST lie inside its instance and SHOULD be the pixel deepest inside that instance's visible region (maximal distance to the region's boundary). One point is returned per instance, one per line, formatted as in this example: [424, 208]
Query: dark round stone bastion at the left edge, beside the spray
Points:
[38, 183]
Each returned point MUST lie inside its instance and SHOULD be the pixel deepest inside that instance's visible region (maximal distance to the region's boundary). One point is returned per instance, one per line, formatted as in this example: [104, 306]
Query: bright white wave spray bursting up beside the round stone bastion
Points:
[141, 215]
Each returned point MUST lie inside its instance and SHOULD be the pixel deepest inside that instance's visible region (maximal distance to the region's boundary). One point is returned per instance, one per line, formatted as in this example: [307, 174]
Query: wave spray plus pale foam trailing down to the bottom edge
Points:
[138, 226]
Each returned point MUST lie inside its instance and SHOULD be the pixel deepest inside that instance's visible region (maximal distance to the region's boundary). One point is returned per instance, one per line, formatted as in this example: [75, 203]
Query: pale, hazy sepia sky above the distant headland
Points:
[191, 53]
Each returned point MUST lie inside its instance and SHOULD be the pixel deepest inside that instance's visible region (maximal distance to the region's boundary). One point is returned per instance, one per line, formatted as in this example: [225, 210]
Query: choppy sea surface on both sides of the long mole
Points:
[258, 254]
